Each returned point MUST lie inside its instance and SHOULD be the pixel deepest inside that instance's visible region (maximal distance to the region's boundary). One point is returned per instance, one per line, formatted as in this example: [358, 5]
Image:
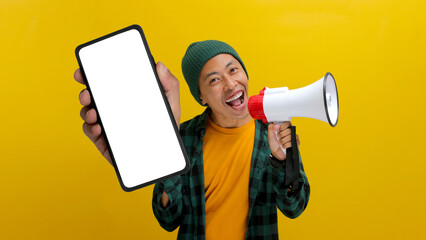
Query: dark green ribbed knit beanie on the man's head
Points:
[197, 54]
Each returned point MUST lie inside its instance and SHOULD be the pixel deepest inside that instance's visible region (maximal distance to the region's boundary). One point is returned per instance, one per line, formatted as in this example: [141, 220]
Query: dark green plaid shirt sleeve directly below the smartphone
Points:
[169, 217]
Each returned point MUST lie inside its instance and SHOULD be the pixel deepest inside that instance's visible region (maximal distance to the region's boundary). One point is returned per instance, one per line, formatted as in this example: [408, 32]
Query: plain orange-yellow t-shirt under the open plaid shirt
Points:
[227, 156]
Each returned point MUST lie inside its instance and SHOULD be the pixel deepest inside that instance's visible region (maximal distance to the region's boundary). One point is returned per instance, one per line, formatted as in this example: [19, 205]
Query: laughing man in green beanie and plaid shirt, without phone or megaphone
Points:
[232, 190]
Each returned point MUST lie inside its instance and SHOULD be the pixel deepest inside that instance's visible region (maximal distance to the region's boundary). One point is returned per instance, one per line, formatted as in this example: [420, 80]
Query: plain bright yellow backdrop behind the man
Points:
[367, 175]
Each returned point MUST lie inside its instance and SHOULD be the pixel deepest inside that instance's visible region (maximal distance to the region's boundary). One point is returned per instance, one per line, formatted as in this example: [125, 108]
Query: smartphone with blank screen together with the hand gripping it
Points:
[138, 127]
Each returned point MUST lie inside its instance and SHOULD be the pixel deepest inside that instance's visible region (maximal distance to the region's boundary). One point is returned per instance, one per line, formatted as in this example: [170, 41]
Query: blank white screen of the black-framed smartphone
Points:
[132, 110]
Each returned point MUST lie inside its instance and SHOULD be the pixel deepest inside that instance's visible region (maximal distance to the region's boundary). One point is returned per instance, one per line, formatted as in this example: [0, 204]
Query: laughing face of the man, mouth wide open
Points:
[224, 87]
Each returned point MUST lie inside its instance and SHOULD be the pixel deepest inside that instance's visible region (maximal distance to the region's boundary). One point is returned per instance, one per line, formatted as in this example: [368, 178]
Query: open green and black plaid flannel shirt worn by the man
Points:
[186, 208]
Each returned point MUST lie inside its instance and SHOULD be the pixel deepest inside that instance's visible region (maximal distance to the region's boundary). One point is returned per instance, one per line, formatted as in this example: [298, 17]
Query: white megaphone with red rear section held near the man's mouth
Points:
[318, 100]
